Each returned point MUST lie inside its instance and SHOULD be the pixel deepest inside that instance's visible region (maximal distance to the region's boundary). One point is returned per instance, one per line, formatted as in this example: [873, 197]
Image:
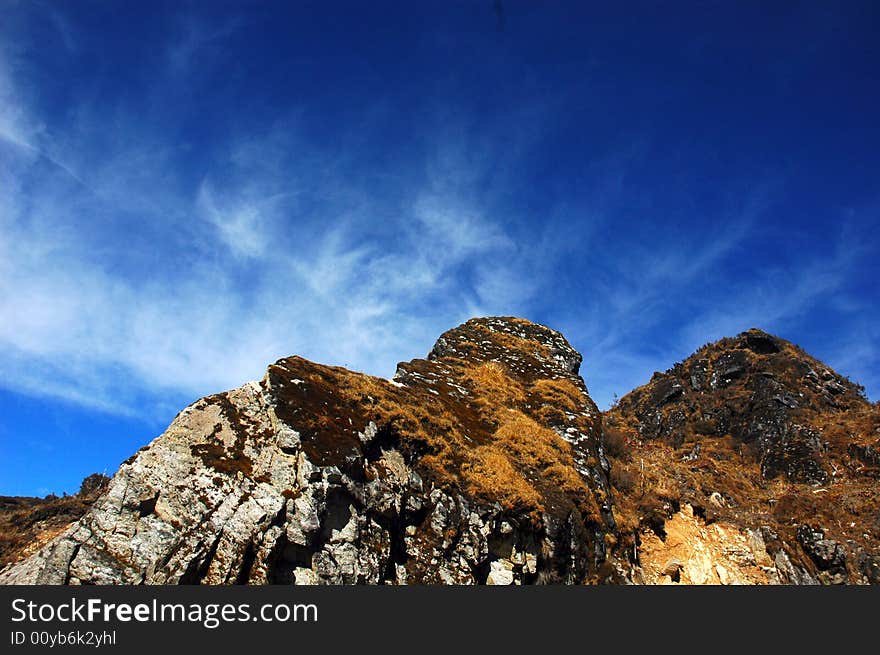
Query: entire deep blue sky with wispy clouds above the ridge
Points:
[189, 191]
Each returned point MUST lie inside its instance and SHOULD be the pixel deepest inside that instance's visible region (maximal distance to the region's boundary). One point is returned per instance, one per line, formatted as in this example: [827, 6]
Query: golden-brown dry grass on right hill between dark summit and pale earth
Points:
[653, 478]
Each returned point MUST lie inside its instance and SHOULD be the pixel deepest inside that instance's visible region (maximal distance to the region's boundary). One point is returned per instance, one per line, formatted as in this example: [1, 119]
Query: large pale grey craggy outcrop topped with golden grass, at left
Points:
[480, 464]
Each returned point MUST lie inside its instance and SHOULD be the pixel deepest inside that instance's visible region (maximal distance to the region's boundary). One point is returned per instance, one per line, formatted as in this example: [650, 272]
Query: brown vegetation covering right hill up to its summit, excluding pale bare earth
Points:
[700, 452]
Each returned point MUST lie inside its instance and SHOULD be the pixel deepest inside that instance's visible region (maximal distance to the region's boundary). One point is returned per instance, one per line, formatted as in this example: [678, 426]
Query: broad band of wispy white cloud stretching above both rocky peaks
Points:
[141, 265]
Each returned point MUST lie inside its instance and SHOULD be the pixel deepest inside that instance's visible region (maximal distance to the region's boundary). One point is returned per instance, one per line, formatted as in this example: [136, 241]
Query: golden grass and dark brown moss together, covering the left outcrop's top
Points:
[494, 442]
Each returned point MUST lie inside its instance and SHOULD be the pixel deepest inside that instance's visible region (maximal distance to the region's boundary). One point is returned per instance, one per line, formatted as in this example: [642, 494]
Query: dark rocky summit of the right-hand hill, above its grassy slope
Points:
[760, 389]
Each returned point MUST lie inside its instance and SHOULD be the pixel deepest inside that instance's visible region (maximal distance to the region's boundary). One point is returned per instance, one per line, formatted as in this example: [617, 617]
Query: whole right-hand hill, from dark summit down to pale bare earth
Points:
[757, 441]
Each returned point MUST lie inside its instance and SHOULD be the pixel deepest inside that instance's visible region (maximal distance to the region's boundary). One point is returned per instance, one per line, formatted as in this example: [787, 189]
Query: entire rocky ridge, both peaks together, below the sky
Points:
[487, 462]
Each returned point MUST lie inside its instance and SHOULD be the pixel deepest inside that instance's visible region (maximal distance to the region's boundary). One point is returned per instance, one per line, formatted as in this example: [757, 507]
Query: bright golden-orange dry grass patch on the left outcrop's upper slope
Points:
[487, 445]
